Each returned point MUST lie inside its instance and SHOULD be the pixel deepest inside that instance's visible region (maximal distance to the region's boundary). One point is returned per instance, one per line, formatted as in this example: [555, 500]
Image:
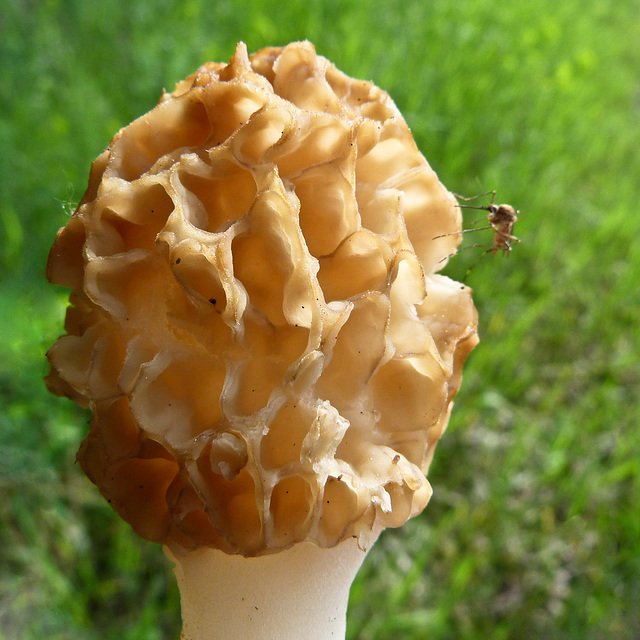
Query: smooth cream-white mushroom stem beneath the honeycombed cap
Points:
[301, 592]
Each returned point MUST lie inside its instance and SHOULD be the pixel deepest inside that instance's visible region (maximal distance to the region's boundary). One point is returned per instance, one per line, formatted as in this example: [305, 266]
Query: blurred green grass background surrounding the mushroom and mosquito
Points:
[534, 527]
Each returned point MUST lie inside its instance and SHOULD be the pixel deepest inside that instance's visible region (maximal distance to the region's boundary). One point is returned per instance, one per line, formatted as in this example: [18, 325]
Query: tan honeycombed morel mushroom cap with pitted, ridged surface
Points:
[256, 321]
